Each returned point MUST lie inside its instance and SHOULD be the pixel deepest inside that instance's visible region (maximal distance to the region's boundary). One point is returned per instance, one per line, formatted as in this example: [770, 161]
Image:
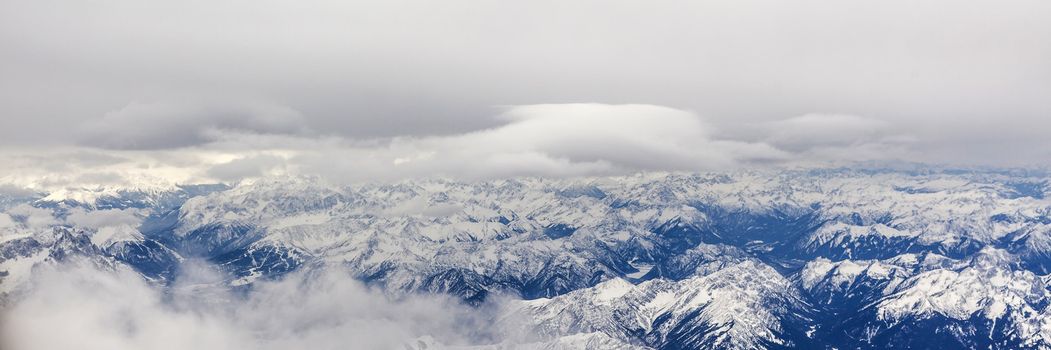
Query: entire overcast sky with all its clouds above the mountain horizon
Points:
[193, 91]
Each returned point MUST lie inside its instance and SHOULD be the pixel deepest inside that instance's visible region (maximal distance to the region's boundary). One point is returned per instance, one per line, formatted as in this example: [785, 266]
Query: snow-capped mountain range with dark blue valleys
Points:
[828, 259]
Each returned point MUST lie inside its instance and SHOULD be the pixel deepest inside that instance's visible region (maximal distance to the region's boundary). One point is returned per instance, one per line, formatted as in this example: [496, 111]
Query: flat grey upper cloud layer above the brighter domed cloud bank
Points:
[971, 77]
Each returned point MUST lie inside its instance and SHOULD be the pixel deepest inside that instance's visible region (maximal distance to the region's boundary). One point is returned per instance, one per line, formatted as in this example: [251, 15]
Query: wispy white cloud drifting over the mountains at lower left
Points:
[86, 308]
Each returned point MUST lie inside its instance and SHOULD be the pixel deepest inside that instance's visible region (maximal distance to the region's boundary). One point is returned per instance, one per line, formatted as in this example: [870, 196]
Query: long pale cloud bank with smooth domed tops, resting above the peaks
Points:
[551, 140]
